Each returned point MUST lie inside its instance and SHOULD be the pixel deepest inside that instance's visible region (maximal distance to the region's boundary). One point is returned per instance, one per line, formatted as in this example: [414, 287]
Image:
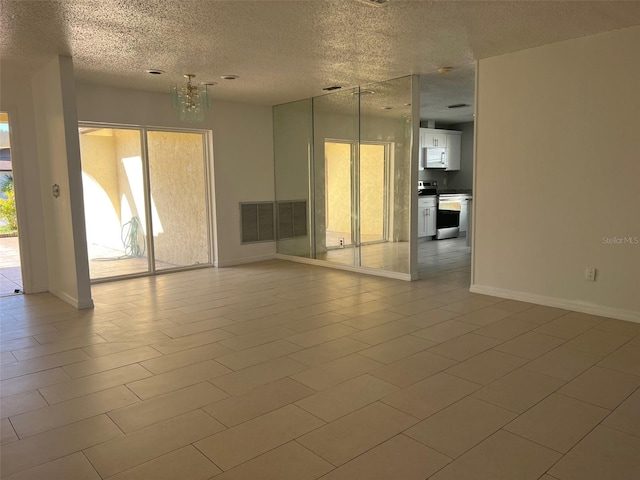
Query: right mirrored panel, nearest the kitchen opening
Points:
[386, 119]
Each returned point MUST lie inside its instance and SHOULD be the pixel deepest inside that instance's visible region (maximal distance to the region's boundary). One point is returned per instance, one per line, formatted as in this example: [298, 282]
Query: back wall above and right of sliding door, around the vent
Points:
[242, 153]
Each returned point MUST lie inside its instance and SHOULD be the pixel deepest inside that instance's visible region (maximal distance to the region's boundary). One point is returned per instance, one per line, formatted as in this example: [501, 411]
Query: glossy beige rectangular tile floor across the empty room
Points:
[279, 371]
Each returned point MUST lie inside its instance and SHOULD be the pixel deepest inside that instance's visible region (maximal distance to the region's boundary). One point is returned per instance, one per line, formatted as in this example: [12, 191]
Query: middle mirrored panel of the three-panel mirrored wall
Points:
[335, 122]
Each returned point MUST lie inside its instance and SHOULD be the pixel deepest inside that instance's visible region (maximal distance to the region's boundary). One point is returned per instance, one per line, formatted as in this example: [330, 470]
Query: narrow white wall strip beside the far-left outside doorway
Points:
[16, 99]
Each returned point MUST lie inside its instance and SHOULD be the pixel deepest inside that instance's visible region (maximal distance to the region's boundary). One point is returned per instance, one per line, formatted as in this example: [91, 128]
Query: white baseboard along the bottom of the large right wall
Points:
[573, 305]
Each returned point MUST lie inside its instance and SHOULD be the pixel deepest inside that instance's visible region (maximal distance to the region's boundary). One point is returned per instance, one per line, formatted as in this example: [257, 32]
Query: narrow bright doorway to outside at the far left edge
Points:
[10, 265]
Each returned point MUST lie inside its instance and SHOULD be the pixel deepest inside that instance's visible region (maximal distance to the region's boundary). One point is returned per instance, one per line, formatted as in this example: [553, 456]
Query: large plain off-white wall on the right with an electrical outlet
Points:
[557, 171]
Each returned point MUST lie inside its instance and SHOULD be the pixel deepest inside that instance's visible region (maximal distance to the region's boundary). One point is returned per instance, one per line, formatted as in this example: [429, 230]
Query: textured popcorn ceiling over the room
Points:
[289, 50]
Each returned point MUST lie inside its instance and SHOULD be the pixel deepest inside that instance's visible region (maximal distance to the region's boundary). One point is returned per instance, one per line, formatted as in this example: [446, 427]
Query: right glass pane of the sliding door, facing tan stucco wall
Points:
[178, 199]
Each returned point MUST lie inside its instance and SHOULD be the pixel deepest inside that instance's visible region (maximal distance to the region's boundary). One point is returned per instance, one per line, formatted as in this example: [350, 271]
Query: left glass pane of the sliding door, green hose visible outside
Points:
[114, 201]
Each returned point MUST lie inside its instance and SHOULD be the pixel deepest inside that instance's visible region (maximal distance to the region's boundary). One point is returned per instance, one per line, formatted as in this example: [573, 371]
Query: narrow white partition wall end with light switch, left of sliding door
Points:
[59, 159]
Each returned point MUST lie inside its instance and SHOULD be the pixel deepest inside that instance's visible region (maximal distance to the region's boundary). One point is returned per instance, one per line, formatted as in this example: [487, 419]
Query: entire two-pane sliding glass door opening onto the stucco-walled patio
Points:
[135, 182]
